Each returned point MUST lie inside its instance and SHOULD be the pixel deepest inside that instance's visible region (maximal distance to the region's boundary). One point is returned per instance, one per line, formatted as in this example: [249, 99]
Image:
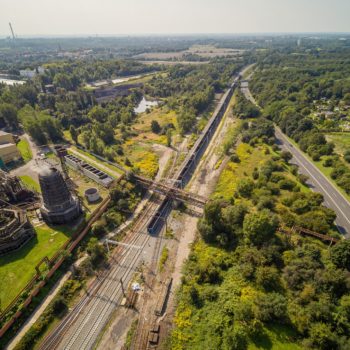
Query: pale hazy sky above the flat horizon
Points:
[120, 17]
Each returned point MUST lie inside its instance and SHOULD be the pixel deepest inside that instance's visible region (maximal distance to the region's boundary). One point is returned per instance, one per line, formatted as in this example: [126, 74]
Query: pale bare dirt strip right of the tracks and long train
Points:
[184, 229]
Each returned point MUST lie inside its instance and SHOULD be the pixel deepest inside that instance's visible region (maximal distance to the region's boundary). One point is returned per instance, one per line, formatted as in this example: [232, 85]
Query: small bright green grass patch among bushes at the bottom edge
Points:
[275, 337]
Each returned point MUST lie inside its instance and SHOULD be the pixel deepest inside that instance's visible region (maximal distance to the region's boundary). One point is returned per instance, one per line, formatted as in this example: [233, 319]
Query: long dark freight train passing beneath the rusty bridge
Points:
[192, 159]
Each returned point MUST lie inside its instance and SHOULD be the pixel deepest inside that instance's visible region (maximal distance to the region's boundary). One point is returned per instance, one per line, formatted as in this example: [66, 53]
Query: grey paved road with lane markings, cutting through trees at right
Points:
[318, 182]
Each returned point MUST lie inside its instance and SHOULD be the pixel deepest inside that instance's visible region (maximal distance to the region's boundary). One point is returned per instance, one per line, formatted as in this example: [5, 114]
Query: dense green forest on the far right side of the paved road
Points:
[288, 86]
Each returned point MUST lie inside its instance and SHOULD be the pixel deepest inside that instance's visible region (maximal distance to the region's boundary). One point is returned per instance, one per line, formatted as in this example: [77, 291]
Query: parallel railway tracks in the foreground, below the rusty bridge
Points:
[103, 294]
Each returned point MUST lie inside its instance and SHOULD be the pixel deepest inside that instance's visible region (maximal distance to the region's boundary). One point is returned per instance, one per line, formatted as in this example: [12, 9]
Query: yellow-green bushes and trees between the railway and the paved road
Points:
[246, 285]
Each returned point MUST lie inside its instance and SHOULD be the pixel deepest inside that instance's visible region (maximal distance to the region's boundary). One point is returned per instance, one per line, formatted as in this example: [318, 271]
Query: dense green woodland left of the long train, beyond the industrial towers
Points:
[103, 128]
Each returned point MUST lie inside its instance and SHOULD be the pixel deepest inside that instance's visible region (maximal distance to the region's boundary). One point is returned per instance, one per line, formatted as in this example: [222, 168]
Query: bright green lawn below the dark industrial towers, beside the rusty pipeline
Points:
[17, 268]
